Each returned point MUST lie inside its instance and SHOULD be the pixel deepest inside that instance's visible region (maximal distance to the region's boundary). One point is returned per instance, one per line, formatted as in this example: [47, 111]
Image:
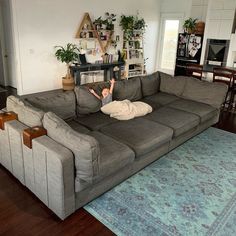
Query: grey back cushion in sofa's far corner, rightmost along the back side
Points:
[150, 84]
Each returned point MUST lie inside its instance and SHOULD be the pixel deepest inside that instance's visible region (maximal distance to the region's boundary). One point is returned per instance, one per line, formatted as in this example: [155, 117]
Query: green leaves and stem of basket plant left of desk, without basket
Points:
[67, 54]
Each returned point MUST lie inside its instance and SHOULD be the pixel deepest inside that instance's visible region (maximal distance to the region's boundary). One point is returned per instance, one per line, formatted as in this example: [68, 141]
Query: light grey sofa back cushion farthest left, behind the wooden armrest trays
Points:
[27, 114]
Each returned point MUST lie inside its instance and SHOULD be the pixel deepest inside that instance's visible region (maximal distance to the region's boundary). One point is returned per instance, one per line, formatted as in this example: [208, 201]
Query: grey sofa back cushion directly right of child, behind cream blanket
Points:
[128, 89]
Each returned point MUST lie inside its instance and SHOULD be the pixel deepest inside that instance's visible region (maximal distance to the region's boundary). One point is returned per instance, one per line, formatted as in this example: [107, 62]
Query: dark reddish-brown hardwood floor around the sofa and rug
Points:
[21, 213]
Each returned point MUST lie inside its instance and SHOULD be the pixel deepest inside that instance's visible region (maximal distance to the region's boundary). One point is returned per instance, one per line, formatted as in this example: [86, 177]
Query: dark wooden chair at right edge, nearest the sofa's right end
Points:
[224, 75]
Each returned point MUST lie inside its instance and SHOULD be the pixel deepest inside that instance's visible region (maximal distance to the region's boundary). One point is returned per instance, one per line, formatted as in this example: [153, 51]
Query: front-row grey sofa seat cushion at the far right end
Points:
[204, 111]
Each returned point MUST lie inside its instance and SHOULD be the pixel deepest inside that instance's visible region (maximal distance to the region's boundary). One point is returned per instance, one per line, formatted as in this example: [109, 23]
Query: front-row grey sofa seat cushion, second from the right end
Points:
[179, 121]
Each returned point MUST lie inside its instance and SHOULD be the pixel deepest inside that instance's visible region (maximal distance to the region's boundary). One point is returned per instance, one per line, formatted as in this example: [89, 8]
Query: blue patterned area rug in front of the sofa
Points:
[190, 191]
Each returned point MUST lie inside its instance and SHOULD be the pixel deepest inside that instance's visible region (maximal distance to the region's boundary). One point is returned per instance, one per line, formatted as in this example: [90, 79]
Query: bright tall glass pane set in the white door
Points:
[169, 45]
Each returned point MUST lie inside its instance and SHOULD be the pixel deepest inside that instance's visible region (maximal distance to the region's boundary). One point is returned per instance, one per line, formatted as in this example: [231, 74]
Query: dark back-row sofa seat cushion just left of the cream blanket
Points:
[95, 121]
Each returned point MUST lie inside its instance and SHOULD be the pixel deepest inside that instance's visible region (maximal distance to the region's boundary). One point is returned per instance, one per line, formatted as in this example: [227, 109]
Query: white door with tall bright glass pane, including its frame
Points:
[170, 28]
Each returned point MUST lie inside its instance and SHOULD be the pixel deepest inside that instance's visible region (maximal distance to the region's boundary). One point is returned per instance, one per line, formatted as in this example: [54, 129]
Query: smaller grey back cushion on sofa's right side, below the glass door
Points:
[172, 84]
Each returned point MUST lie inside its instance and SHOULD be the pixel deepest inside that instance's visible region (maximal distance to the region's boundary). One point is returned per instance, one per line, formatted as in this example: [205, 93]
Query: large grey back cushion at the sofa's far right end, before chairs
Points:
[206, 92]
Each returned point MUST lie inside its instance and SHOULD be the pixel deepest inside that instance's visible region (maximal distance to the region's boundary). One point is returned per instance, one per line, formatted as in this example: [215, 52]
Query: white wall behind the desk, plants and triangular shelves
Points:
[39, 25]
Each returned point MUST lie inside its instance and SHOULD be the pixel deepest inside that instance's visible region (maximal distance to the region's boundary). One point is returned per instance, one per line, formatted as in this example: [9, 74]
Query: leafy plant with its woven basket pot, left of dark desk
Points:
[67, 54]
